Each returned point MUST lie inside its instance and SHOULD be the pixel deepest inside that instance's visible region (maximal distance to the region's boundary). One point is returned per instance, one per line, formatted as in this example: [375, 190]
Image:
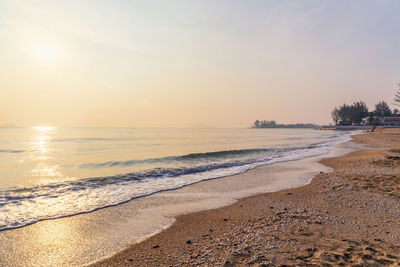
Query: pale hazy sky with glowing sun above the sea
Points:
[193, 63]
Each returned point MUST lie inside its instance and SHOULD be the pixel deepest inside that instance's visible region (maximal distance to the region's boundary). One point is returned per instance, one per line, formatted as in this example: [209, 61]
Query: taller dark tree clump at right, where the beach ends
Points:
[358, 113]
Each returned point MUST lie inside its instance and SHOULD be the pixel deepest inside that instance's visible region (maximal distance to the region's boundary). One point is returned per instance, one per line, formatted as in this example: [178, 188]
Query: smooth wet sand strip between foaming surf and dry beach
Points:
[85, 238]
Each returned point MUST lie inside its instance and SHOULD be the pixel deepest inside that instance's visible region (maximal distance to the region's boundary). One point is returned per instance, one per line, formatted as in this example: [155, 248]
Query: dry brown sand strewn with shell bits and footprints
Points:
[346, 217]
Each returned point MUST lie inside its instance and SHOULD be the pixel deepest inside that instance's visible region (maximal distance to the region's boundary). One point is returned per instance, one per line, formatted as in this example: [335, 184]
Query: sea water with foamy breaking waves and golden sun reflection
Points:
[48, 172]
